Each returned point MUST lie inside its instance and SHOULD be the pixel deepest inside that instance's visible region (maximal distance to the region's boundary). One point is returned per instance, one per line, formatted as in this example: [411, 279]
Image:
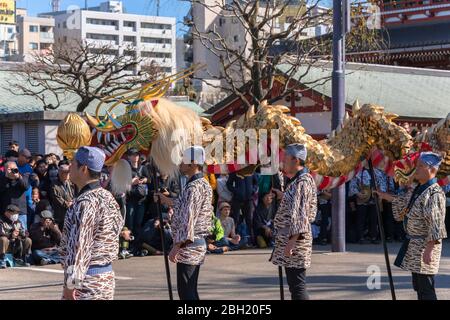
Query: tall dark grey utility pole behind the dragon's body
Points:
[341, 19]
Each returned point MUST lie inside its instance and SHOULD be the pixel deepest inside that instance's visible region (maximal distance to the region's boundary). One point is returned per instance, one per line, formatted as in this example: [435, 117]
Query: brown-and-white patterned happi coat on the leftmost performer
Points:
[91, 237]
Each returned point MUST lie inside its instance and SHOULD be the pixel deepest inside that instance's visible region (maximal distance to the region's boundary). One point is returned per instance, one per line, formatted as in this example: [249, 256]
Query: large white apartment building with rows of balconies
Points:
[151, 38]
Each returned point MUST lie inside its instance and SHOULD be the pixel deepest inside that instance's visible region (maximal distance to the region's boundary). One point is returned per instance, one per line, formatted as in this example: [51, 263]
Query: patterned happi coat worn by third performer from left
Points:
[297, 210]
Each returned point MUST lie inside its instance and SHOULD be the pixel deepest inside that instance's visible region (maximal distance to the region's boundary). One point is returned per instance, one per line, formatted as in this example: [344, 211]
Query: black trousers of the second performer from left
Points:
[187, 277]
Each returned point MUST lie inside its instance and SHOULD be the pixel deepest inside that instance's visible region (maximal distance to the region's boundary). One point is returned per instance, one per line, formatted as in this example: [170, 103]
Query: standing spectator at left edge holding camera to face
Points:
[13, 188]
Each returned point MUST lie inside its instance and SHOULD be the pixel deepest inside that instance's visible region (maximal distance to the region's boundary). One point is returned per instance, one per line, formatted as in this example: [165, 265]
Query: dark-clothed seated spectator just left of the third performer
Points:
[263, 221]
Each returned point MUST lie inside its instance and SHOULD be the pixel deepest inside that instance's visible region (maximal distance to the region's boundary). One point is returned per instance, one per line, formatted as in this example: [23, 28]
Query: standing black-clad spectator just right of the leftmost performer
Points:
[138, 194]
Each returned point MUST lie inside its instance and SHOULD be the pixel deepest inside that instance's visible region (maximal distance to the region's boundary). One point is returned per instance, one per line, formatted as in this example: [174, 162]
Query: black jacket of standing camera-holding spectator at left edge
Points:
[13, 192]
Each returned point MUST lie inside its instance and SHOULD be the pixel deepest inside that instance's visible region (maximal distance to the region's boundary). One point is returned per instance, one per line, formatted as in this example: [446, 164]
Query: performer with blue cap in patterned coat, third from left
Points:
[292, 222]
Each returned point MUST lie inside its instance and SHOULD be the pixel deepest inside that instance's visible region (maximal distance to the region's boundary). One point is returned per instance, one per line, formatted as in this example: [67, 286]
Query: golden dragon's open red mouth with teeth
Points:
[114, 141]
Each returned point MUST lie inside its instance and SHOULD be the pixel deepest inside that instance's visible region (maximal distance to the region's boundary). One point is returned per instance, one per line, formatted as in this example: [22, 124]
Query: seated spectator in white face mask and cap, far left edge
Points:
[13, 239]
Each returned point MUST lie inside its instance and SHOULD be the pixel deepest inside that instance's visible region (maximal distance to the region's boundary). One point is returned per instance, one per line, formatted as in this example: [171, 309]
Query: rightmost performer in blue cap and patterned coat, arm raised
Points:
[422, 211]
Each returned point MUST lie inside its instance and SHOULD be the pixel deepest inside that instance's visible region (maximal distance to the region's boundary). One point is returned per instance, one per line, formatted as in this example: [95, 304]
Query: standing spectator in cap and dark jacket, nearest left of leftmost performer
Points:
[62, 193]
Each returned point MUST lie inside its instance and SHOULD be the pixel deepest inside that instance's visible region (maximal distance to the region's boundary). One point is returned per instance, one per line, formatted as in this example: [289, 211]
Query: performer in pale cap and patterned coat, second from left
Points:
[191, 222]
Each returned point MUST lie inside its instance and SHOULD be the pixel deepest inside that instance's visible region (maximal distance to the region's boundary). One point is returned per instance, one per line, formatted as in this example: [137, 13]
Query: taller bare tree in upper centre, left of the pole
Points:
[274, 32]
